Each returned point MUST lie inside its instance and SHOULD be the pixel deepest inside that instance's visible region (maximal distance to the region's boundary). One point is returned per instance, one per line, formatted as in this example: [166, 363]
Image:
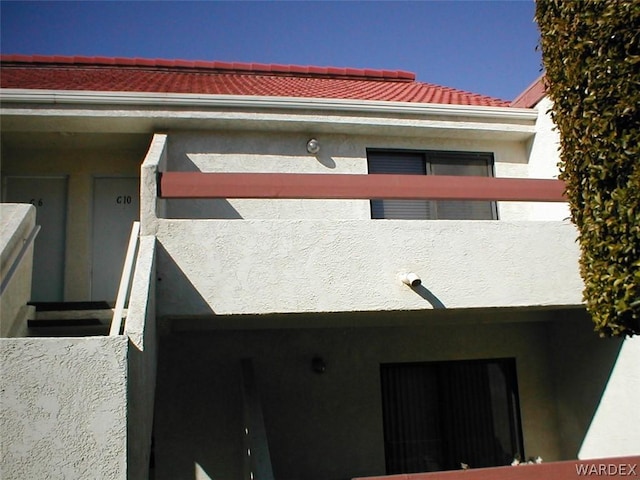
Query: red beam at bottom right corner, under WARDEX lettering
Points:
[622, 467]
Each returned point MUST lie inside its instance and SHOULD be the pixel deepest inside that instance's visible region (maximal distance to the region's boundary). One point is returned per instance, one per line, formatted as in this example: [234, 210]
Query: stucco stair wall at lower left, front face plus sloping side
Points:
[83, 407]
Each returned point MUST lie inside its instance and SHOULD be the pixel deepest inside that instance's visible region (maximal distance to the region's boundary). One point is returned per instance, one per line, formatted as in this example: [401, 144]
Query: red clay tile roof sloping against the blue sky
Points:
[222, 78]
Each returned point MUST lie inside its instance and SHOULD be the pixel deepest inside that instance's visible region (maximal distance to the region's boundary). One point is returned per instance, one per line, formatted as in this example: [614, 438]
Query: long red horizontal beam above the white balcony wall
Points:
[341, 186]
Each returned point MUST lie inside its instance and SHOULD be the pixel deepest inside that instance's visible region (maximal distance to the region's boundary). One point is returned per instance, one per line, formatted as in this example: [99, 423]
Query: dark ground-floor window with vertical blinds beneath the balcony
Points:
[439, 415]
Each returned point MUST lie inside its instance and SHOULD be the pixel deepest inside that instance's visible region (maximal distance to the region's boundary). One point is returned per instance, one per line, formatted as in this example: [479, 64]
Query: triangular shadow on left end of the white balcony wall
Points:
[176, 296]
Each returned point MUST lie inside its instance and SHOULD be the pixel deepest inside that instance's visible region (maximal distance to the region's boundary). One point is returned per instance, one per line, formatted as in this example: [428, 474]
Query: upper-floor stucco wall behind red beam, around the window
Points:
[285, 152]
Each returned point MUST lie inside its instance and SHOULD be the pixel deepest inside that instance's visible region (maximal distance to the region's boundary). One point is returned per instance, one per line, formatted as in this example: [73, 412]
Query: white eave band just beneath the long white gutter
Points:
[100, 120]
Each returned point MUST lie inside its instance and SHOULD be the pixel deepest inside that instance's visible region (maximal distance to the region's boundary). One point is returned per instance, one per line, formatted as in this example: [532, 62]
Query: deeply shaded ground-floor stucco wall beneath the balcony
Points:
[330, 426]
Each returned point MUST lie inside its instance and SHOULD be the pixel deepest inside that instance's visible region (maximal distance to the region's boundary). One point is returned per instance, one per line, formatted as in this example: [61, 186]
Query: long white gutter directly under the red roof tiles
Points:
[98, 98]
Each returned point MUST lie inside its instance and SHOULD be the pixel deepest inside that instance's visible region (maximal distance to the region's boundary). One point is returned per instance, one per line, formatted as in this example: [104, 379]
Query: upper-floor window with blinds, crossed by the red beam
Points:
[431, 163]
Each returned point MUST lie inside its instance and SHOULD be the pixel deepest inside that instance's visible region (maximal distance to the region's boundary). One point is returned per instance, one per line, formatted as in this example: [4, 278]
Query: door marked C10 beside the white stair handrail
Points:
[116, 205]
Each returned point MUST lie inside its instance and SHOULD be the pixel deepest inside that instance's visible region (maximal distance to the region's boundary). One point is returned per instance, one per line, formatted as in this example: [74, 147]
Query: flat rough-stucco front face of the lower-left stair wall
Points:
[64, 407]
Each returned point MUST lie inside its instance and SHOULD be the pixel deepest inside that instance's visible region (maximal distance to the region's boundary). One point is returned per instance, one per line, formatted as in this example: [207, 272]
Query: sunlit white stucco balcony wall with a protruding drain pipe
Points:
[220, 267]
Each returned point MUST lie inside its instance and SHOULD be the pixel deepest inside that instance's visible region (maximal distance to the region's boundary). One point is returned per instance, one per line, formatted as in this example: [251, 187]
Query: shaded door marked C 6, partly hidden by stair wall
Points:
[49, 195]
